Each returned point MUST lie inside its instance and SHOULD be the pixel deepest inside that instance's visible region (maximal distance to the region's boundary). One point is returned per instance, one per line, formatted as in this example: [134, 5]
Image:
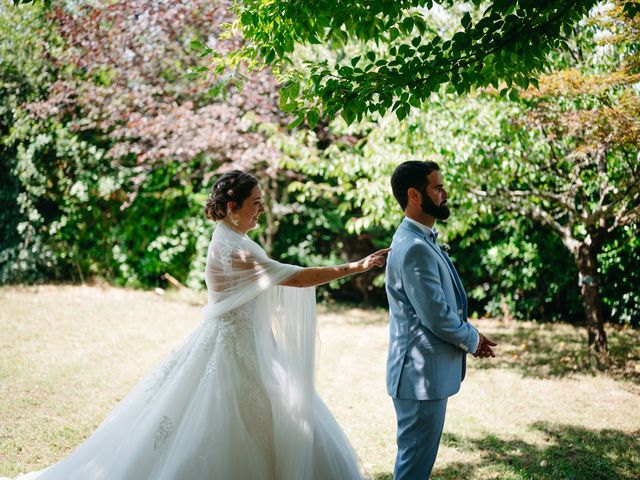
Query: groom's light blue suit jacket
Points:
[429, 332]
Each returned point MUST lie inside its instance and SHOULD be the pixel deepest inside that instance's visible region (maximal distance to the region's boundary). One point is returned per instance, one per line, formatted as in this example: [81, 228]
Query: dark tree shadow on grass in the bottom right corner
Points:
[571, 453]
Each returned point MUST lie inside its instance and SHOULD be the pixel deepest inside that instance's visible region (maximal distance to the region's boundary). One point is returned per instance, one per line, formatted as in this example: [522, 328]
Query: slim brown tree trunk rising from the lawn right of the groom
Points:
[587, 262]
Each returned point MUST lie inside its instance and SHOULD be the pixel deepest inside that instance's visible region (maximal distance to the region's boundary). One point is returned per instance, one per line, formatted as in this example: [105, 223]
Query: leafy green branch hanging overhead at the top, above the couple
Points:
[403, 56]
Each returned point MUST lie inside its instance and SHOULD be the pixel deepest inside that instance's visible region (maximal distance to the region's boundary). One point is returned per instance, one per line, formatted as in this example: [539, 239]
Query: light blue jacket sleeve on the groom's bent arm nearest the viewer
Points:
[422, 284]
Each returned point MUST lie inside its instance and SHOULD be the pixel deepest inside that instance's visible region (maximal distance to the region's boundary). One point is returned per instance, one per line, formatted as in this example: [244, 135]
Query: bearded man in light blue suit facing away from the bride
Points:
[429, 332]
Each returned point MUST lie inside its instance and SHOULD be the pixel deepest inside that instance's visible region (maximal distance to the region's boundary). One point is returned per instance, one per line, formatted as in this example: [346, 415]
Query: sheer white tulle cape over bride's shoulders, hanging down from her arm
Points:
[239, 271]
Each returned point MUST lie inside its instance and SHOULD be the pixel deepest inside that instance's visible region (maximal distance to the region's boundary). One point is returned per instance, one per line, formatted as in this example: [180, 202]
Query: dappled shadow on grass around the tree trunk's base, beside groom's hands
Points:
[552, 350]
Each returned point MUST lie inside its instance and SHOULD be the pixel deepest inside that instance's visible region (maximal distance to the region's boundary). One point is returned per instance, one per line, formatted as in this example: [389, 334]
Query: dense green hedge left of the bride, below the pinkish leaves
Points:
[72, 227]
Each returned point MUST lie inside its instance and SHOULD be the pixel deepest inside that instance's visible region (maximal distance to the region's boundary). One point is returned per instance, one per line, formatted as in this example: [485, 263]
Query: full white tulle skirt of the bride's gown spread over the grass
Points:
[216, 408]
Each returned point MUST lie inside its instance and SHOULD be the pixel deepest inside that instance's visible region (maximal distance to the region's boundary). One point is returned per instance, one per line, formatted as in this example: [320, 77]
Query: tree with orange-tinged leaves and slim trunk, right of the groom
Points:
[585, 183]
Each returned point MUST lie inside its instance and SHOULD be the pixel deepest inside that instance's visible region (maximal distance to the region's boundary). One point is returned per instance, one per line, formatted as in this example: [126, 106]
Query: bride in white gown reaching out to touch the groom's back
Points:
[237, 400]
